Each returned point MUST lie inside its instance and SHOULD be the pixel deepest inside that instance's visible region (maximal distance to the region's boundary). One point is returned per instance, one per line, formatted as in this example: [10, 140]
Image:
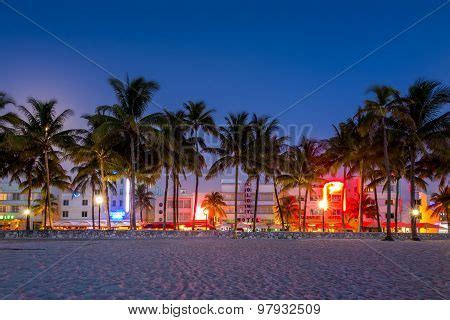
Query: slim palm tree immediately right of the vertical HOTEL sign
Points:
[262, 131]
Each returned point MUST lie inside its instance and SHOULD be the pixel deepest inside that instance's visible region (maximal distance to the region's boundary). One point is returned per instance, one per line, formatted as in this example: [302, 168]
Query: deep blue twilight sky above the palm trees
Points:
[257, 56]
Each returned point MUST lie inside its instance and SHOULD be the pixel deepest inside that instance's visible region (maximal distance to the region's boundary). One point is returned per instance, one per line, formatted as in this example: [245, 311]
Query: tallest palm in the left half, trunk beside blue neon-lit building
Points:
[127, 119]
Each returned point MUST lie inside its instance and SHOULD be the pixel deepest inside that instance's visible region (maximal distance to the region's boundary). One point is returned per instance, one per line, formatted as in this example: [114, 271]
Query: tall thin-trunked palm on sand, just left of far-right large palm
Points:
[375, 117]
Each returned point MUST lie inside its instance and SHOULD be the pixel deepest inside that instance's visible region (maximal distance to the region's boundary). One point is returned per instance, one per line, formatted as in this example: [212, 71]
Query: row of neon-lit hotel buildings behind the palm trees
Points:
[330, 206]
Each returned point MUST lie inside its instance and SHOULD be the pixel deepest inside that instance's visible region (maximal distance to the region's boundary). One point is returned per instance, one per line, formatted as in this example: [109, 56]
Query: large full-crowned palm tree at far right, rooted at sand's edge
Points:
[423, 127]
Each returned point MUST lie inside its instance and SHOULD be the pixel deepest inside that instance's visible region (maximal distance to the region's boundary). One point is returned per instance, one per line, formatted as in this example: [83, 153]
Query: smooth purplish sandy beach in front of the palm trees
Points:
[224, 269]
